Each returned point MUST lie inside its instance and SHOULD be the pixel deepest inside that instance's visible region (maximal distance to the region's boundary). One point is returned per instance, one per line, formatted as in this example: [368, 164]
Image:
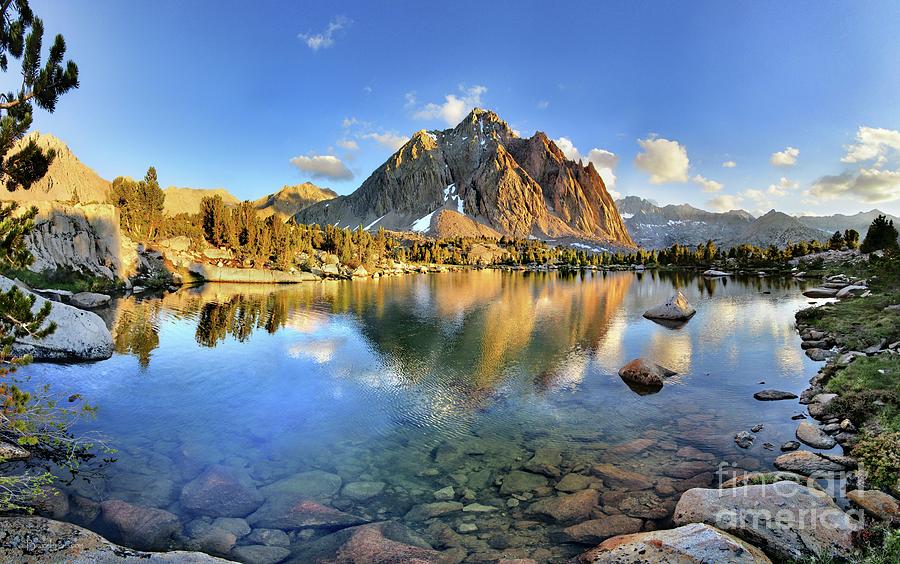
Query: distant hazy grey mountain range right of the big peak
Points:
[652, 226]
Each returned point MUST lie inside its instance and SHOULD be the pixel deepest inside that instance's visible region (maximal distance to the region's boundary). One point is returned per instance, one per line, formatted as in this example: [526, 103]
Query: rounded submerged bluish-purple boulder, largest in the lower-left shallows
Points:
[221, 491]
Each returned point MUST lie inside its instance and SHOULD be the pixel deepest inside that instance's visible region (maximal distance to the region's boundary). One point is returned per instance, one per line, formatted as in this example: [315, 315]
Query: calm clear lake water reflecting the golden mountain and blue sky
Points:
[426, 381]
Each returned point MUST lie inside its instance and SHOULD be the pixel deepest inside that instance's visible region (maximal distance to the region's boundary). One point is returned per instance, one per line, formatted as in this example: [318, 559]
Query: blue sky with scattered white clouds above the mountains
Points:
[252, 96]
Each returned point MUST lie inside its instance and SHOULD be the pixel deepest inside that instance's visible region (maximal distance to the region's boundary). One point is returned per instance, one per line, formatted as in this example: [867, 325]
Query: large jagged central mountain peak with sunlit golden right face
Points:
[481, 170]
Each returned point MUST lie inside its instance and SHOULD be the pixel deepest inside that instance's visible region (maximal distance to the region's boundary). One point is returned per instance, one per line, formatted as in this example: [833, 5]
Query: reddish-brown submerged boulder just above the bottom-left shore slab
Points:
[144, 528]
